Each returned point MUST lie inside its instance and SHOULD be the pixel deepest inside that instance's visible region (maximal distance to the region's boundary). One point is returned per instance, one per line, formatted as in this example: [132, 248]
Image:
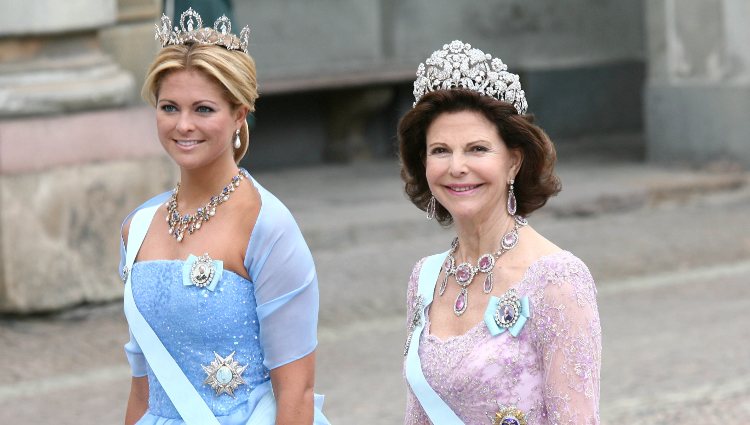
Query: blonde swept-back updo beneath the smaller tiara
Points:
[232, 70]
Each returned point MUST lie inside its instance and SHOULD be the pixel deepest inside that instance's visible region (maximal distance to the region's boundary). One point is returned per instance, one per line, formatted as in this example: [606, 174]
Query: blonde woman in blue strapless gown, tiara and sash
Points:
[221, 293]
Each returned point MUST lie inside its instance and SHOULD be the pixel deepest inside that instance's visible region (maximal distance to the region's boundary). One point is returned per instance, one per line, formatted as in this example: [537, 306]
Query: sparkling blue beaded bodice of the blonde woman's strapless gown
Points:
[193, 323]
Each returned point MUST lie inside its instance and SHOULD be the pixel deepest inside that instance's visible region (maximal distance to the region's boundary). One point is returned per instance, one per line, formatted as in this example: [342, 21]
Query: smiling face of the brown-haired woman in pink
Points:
[468, 166]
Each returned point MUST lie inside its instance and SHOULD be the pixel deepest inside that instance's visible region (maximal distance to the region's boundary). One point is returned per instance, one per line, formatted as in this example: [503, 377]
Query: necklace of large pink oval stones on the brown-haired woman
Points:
[465, 272]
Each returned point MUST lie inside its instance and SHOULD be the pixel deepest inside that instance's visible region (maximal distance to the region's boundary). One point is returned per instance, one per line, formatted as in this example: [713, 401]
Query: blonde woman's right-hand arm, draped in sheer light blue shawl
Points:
[281, 267]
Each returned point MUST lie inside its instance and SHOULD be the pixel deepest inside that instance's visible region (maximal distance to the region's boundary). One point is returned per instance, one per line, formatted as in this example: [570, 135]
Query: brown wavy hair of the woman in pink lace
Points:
[535, 181]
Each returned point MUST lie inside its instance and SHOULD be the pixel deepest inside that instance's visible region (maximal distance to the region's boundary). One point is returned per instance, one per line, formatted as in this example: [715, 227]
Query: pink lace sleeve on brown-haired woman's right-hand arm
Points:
[567, 320]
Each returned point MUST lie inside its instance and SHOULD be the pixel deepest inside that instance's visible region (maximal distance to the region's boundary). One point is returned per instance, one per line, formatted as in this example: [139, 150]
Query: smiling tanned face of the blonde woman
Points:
[195, 122]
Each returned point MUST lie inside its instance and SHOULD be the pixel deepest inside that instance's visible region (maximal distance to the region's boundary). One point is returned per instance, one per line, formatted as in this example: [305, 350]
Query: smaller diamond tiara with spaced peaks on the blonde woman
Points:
[192, 31]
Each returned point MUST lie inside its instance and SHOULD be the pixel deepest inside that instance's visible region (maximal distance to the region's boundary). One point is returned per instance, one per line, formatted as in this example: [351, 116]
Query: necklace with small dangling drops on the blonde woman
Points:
[179, 225]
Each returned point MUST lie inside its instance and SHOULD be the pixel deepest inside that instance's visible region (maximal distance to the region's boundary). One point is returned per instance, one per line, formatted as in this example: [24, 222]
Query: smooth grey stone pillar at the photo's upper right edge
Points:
[698, 89]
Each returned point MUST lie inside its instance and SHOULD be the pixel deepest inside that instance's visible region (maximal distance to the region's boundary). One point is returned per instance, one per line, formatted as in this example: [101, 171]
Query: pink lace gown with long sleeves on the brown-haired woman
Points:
[550, 371]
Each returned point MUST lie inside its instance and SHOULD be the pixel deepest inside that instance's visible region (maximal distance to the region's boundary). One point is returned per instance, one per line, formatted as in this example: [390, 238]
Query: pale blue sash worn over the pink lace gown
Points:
[437, 410]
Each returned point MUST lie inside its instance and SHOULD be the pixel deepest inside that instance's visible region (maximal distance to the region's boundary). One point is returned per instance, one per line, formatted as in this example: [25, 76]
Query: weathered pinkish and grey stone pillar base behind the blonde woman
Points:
[74, 159]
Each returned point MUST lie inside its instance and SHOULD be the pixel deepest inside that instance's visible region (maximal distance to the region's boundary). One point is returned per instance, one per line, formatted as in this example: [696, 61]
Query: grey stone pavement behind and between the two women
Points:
[669, 248]
